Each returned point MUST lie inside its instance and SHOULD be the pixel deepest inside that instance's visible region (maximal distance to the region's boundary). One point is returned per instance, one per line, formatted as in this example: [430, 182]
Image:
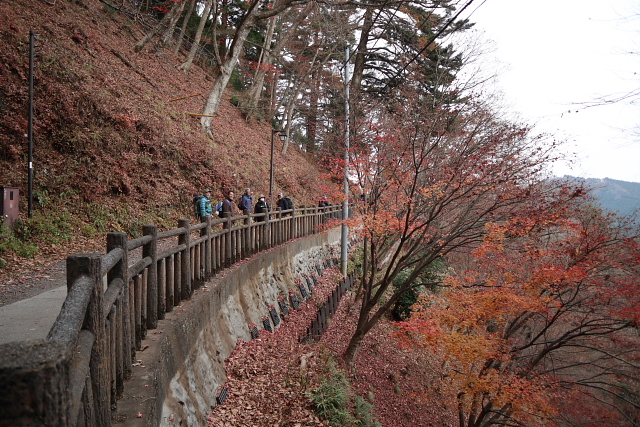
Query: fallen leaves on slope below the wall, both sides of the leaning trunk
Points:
[268, 377]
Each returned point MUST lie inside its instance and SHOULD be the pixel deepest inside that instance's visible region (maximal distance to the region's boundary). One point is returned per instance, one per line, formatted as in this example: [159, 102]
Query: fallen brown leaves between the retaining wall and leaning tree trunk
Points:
[266, 383]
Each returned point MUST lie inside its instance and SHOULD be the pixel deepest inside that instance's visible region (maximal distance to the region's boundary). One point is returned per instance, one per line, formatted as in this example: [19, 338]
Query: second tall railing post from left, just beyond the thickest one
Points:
[121, 271]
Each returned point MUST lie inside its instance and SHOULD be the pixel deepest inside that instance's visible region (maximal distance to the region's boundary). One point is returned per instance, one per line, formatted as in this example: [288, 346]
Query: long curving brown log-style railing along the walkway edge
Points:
[77, 374]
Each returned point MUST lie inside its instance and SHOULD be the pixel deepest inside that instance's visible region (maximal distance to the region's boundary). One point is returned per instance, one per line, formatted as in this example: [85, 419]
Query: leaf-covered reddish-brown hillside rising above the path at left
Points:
[117, 143]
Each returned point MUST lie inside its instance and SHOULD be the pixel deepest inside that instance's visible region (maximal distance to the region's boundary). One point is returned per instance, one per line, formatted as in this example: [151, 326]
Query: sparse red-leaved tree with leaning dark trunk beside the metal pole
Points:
[434, 177]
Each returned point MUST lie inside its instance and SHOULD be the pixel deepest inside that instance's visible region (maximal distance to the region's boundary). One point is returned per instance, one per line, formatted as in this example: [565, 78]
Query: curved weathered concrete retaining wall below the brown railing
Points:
[176, 378]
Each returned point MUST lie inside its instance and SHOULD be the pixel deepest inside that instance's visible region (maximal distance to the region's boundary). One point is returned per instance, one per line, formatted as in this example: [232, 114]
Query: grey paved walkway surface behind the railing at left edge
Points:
[31, 318]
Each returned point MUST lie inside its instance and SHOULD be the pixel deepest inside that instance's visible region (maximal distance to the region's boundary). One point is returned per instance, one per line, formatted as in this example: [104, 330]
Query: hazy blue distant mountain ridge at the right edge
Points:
[622, 197]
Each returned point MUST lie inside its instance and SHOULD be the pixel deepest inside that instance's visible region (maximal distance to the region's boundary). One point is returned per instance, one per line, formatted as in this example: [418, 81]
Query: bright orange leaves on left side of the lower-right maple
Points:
[465, 329]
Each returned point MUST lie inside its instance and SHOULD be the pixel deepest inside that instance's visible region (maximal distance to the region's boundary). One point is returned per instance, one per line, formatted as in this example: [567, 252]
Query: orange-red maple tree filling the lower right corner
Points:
[539, 327]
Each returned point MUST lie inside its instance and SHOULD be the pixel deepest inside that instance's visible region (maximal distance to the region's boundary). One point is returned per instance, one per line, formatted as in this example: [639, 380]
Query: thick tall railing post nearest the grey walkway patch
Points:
[90, 265]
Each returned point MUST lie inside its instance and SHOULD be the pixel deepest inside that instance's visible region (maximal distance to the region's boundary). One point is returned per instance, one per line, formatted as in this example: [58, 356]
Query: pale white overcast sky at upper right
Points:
[557, 55]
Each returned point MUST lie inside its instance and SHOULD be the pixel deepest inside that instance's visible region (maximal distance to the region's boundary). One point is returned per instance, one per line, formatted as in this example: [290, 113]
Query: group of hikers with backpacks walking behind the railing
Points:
[229, 207]
